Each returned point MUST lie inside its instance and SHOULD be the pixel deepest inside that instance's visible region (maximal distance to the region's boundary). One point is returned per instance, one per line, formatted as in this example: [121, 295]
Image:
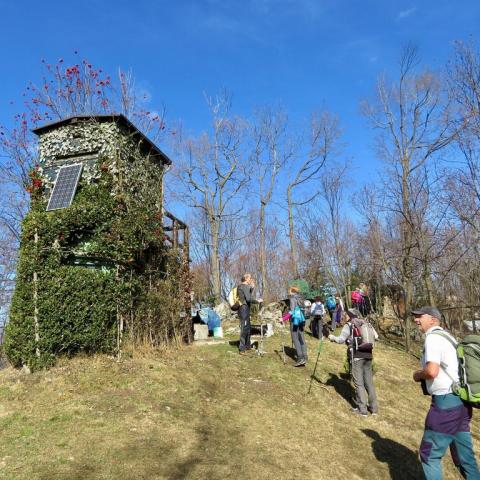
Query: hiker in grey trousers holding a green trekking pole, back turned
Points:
[365, 398]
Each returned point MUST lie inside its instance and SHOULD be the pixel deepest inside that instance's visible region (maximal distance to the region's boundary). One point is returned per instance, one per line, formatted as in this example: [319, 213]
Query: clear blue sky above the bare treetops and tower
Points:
[304, 54]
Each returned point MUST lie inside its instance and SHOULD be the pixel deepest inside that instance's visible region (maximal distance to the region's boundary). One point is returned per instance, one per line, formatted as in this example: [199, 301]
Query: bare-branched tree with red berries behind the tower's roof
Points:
[64, 91]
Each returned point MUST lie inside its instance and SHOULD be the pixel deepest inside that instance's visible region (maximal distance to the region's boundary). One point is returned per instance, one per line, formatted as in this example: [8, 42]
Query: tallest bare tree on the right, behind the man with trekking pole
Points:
[414, 121]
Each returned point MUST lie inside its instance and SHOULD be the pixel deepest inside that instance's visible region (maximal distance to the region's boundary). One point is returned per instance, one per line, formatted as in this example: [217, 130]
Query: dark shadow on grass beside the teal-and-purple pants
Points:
[402, 462]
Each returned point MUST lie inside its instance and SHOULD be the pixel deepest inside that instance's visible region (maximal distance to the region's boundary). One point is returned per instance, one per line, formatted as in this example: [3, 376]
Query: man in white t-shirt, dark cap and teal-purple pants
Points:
[448, 419]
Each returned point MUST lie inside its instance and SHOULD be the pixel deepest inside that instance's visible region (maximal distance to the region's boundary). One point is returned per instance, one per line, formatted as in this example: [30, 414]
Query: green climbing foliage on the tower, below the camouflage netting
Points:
[78, 306]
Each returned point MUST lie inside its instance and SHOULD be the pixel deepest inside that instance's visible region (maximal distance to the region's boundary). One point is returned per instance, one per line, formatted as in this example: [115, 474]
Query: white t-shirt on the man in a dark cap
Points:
[439, 350]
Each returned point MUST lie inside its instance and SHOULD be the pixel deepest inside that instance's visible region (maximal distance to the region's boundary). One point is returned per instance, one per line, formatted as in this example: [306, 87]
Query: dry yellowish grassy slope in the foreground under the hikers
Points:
[204, 412]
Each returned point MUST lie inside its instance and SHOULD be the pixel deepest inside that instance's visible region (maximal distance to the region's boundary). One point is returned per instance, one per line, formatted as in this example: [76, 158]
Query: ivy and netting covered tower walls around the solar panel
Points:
[97, 272]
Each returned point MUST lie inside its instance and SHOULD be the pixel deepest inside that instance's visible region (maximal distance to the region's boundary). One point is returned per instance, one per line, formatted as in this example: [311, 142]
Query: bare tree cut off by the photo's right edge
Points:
[462, 181]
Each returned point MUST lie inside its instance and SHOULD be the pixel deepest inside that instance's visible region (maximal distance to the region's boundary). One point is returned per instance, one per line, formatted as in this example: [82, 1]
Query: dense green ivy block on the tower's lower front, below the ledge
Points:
[76, 312]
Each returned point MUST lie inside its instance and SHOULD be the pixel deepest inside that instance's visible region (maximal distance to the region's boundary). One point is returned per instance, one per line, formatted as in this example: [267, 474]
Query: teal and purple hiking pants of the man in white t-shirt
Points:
[448, 425]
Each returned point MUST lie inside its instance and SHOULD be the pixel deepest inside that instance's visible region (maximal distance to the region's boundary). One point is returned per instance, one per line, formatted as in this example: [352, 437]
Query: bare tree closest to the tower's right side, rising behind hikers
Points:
[213, 173]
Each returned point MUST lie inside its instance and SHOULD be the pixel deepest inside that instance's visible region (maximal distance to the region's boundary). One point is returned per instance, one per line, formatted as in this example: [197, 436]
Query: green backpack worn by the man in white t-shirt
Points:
[468, 355]
